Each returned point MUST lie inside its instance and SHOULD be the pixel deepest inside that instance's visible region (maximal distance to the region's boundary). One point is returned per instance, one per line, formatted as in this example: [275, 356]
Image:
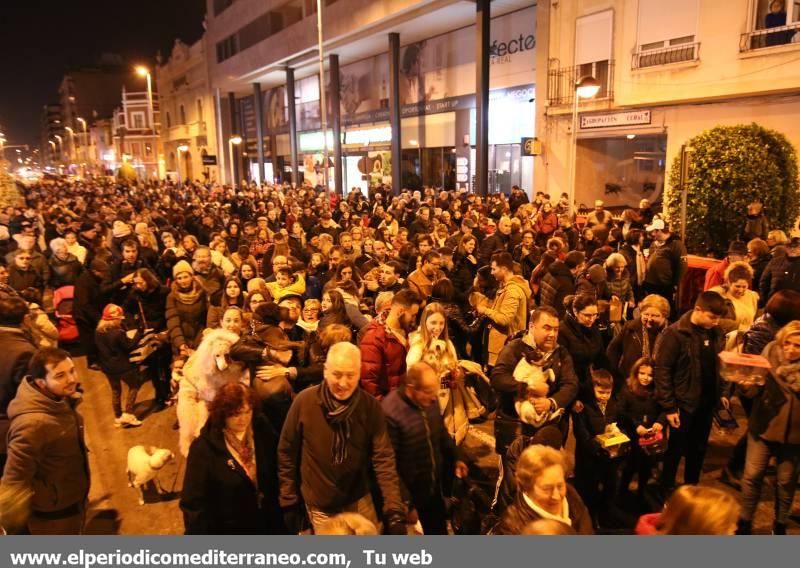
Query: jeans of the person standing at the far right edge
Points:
[758, 456]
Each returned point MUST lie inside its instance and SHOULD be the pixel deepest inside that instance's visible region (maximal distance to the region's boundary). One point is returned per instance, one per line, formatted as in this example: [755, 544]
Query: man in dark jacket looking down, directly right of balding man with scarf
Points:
[425, 452]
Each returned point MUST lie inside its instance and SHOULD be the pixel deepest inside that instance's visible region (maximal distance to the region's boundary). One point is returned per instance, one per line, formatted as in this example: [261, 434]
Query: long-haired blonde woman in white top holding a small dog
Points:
[431, 344]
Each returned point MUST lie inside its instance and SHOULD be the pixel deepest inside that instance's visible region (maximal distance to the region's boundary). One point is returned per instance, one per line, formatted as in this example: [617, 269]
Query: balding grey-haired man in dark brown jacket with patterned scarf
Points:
[333, 435]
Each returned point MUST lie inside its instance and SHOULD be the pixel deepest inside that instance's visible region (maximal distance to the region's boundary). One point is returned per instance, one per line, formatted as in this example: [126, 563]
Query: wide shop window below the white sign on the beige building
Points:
[620, 170]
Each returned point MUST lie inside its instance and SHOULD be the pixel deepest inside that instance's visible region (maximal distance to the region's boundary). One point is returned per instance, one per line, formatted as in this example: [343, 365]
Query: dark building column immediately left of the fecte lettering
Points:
[482, 40]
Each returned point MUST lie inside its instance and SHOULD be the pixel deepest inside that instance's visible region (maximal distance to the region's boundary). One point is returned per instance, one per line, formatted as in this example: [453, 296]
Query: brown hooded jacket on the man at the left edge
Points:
[46, 450]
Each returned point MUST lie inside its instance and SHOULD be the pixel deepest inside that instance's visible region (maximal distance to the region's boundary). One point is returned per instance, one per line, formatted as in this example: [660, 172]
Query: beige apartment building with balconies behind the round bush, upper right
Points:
[667, 71]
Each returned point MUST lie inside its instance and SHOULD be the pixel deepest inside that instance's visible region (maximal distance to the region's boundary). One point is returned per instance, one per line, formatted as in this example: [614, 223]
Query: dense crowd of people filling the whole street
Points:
[328, 356]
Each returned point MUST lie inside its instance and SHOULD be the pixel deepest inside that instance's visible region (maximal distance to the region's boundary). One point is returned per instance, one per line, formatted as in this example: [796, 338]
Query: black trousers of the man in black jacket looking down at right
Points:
[690, 441]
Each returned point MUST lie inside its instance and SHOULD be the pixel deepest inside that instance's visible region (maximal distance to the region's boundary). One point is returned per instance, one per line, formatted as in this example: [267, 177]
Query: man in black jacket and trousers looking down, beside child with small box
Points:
[688, 385]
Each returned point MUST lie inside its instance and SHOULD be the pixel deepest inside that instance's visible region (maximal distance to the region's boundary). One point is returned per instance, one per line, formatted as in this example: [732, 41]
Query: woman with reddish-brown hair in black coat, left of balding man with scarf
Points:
[231, 483]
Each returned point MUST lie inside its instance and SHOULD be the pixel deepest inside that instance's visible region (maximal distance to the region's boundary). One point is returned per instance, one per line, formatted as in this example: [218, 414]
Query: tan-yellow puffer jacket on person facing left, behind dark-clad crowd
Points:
[508, 314]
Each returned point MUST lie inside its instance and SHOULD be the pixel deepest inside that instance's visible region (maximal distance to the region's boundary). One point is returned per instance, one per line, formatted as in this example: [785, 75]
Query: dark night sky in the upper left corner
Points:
[41, 40]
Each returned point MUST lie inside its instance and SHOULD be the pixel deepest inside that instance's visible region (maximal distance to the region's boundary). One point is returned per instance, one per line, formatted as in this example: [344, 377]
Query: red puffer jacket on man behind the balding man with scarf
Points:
[383, 360]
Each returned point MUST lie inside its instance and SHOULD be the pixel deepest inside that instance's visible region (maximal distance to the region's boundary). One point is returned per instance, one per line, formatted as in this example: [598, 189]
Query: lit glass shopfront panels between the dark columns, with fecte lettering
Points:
[437, 115]
